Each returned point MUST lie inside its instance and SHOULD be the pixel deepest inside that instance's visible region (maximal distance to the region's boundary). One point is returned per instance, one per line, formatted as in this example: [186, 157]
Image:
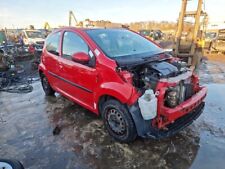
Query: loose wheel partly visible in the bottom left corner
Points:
[10, 164]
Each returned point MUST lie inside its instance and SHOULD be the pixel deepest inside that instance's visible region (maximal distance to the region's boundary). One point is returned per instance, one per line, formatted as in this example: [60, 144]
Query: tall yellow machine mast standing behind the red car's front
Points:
[190, 48]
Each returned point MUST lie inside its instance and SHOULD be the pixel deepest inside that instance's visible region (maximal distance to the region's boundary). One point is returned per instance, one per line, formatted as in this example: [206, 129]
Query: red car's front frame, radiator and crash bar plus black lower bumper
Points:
[180, 102]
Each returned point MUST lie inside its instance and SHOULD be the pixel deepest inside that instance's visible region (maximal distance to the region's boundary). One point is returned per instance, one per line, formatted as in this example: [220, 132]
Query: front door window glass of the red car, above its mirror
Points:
[73, 43]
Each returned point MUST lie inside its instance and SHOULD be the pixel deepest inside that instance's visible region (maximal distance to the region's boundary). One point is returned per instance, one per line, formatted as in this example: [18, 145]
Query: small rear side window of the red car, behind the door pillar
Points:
[52, 43]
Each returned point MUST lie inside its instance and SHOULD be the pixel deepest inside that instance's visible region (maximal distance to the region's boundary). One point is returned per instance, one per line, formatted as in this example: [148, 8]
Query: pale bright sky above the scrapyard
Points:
[21, 13]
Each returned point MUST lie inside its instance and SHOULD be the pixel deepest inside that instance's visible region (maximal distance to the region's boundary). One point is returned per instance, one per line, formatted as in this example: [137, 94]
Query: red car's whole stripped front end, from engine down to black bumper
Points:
[180, 98]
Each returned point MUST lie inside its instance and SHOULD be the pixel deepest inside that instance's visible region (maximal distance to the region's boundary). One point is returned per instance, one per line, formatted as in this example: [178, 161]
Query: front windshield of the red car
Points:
[121, 42]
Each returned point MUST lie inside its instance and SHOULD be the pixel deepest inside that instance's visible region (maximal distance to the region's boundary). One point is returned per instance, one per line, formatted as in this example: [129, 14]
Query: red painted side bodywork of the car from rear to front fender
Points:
[99, 81]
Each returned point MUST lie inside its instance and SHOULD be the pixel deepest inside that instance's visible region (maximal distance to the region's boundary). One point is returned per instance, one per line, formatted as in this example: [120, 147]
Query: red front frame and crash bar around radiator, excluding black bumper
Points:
[177, 97]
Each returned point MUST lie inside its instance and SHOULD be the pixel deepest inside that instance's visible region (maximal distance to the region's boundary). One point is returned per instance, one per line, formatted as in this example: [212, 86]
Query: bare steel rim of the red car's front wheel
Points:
[116, 121]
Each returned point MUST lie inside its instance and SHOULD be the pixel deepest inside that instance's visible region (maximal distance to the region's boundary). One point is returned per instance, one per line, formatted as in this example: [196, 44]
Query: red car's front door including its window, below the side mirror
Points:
[78, 80]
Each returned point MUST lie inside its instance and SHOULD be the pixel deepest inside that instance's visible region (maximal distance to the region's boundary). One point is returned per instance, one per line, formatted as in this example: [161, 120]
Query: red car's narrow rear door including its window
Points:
[50, 58]
